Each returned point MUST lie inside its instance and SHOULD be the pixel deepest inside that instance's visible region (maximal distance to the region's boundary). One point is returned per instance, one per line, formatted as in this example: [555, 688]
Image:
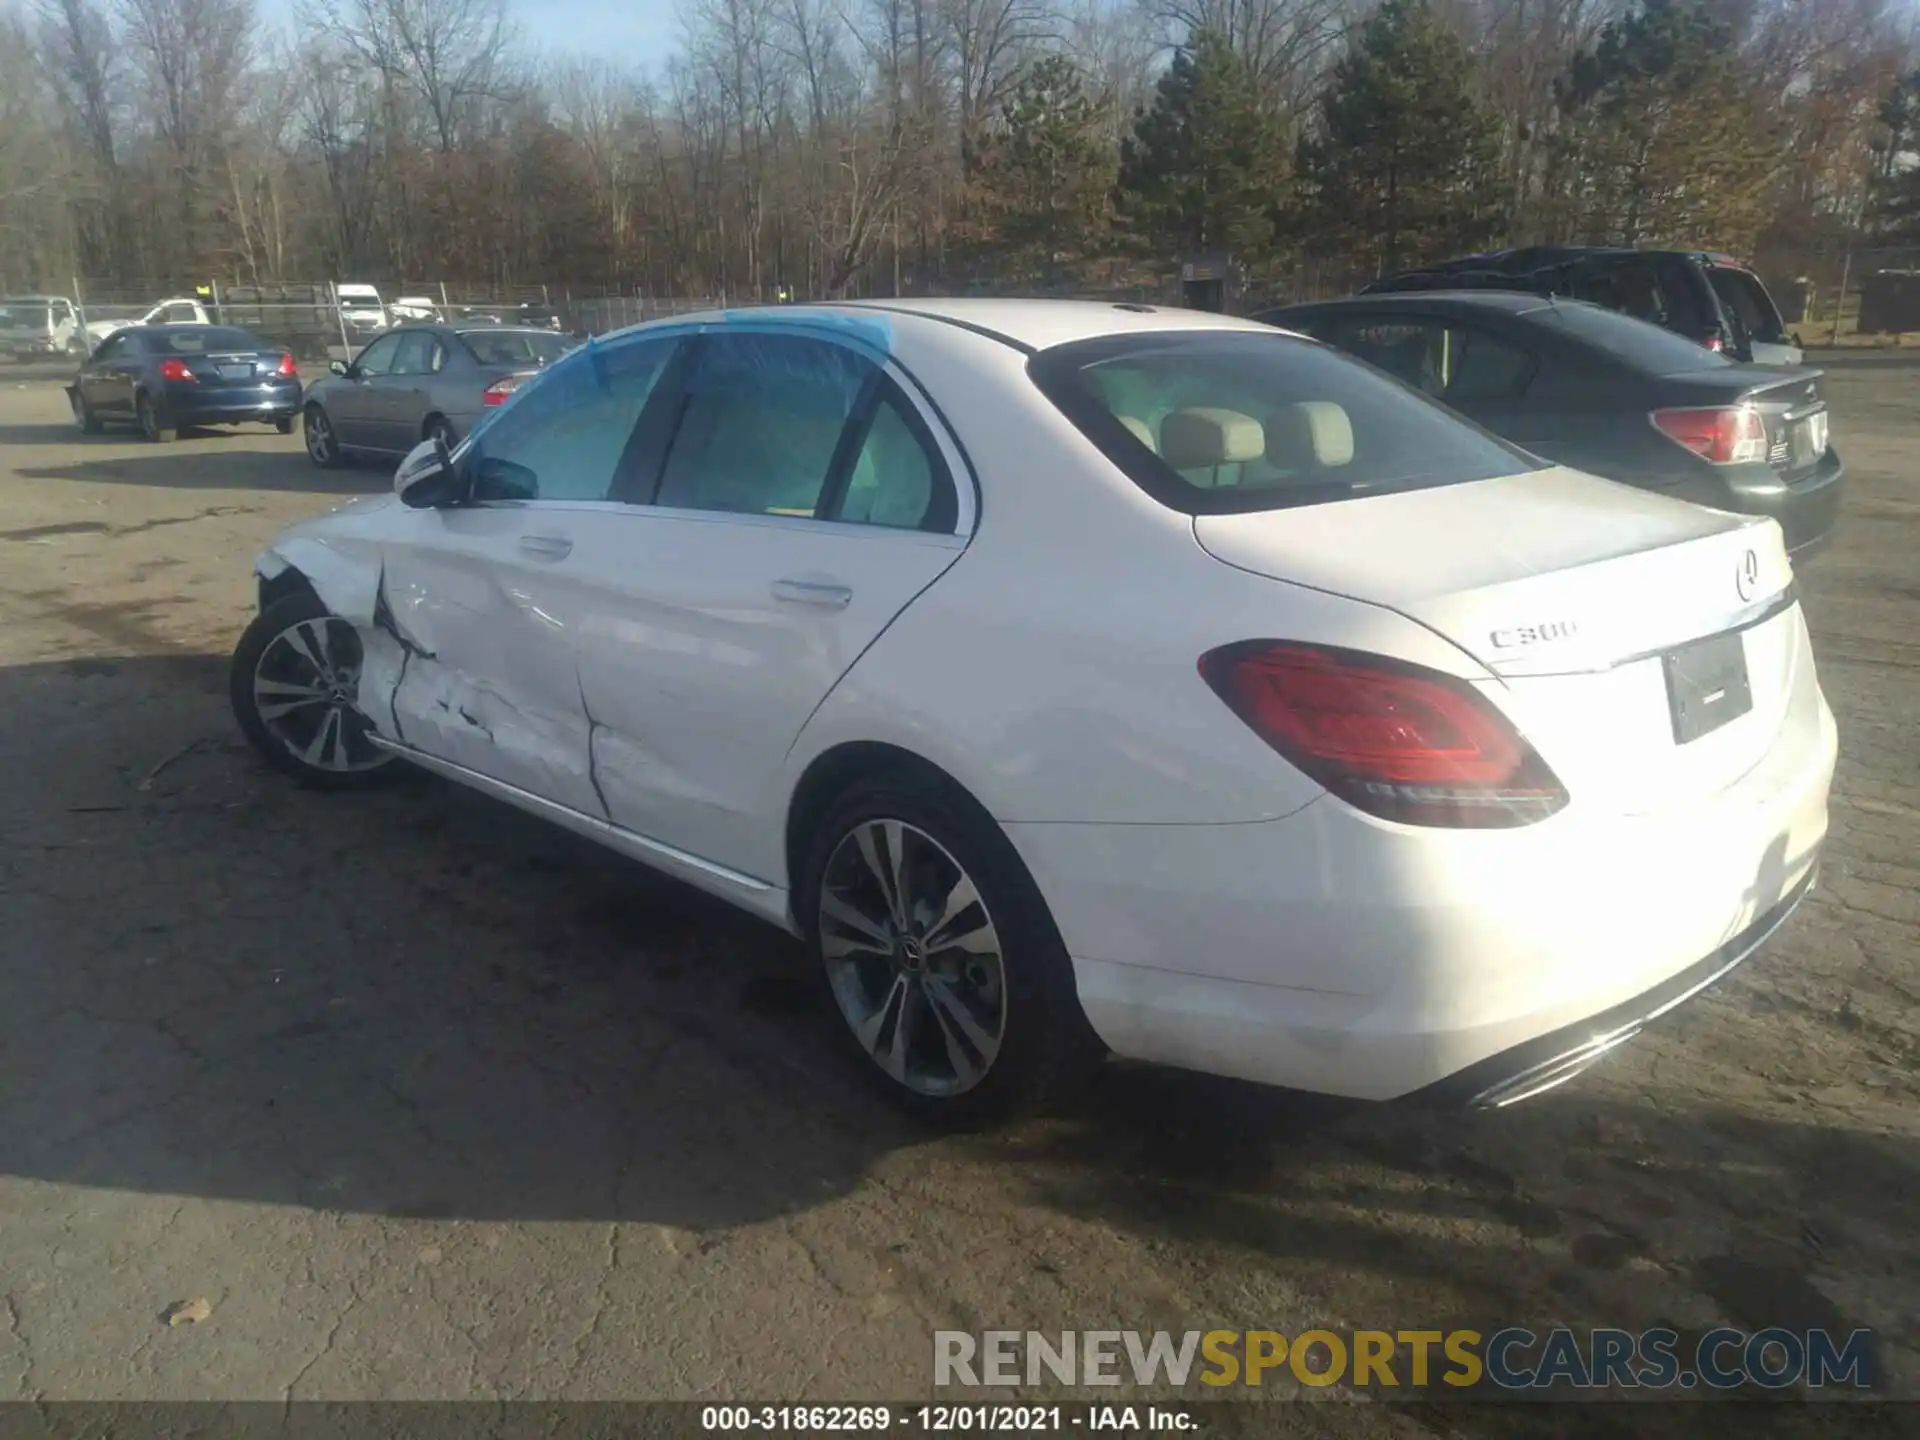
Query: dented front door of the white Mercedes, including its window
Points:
[491, 679]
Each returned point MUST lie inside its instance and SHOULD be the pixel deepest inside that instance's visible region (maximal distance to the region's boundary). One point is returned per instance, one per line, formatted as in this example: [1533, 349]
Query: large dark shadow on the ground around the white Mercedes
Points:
[420, 1003]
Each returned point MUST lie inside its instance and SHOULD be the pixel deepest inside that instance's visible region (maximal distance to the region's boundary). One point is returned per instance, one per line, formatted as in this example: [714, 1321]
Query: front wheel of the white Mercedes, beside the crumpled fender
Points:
[262, 658]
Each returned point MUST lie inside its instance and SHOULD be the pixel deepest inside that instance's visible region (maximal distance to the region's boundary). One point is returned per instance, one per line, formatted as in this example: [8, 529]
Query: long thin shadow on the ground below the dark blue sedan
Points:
[204, 460]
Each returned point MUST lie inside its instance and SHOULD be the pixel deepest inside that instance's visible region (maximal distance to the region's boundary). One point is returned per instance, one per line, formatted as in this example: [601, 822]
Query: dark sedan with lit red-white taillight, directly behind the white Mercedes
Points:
[1600, 393]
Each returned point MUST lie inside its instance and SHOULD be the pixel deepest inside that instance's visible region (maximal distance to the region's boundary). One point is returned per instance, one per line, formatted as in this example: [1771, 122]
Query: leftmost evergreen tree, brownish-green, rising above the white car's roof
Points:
[1047, 174]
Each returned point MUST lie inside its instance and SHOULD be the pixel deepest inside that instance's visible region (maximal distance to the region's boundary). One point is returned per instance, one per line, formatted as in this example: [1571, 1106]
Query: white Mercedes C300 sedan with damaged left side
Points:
[1086, 677]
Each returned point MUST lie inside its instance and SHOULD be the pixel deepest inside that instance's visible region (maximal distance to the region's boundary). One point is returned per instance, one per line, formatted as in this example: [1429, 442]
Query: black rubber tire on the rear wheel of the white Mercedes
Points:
[1045, 1045]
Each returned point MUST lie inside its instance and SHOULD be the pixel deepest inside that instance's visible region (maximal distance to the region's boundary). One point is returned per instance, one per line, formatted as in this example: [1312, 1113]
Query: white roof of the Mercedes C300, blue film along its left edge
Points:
[1022, 324]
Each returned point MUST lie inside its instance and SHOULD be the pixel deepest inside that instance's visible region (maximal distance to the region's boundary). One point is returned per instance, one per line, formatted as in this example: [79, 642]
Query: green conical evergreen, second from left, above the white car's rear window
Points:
[1205, 162]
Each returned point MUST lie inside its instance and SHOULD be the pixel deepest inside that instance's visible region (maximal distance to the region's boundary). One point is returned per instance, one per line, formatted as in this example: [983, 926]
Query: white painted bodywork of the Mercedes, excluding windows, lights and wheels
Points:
[636, 677]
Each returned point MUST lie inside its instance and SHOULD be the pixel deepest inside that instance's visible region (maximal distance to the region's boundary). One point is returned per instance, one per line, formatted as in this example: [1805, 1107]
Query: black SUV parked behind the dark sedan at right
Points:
[1702, 295]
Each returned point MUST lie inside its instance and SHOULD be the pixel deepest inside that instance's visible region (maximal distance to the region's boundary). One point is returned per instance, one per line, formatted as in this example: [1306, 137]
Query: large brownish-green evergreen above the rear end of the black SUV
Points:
[1660, 141]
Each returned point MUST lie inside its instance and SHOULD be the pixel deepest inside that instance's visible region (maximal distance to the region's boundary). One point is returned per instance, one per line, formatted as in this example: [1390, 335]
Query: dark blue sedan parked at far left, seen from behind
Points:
[172, 377]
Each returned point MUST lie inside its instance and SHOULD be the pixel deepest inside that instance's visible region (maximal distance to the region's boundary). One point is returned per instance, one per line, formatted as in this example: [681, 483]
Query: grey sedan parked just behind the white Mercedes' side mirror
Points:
[421, 383]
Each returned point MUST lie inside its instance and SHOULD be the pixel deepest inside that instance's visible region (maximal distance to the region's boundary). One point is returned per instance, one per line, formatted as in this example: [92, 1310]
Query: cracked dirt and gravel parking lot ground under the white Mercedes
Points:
[427, 1101]
